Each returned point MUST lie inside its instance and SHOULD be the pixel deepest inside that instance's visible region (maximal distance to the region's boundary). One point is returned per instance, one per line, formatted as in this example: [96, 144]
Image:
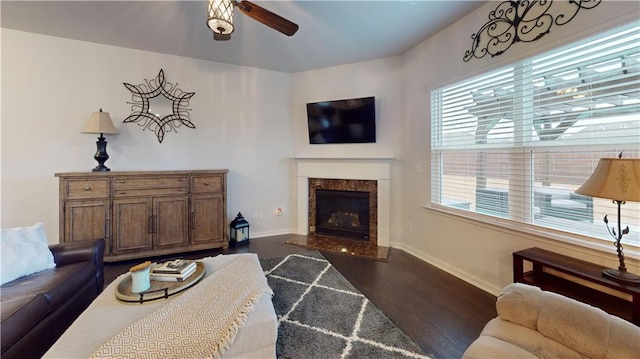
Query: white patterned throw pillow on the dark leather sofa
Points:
[24, 251]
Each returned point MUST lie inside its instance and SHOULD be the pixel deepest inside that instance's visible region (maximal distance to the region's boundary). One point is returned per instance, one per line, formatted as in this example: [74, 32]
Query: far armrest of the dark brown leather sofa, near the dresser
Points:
[86, 251]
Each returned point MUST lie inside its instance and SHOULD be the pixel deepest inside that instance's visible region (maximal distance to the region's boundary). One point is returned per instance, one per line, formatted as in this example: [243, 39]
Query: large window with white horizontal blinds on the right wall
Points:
[515, 143]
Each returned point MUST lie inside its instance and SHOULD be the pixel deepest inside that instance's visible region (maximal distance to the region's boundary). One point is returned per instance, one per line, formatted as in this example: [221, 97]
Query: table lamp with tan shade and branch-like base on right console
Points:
[617, 179]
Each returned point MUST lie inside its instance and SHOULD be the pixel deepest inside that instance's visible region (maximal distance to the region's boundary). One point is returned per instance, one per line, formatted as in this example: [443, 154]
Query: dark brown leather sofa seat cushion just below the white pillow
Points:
[57, 285]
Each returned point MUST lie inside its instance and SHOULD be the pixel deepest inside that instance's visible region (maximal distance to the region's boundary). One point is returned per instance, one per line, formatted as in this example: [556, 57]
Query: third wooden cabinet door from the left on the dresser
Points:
[171, 227]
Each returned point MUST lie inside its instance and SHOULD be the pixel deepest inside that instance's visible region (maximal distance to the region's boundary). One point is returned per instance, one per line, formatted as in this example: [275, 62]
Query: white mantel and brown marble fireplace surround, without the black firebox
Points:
[345, 171]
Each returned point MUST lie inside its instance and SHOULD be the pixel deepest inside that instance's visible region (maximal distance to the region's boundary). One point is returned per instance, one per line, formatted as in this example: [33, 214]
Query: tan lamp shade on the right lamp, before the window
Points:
[614, 178]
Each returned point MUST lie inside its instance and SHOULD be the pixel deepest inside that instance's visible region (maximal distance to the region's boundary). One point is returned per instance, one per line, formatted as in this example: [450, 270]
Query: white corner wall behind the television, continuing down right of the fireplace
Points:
[380, 78]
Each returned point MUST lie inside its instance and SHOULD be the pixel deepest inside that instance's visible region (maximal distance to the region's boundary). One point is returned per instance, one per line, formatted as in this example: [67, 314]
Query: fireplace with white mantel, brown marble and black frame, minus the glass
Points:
[370, 175]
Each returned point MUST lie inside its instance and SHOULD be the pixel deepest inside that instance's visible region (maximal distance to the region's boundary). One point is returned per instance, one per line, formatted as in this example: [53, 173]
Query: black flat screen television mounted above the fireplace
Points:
[342, 121]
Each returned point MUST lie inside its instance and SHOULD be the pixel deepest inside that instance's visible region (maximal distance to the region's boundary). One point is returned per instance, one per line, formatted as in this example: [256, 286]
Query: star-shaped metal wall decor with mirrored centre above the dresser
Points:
[159, 106]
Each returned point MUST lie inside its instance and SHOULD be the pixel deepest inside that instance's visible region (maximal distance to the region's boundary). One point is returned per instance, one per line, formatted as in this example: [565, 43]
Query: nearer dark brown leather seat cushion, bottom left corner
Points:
[19, 315]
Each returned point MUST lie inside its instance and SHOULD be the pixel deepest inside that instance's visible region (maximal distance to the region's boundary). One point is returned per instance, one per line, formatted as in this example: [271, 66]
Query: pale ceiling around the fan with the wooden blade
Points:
[331, 32]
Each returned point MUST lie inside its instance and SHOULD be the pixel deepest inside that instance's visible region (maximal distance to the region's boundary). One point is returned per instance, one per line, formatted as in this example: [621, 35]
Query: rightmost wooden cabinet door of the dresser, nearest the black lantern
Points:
[207, 225]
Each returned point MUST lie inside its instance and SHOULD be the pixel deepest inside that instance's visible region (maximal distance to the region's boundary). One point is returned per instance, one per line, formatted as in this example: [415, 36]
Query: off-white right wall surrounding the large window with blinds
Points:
[478, 253]
